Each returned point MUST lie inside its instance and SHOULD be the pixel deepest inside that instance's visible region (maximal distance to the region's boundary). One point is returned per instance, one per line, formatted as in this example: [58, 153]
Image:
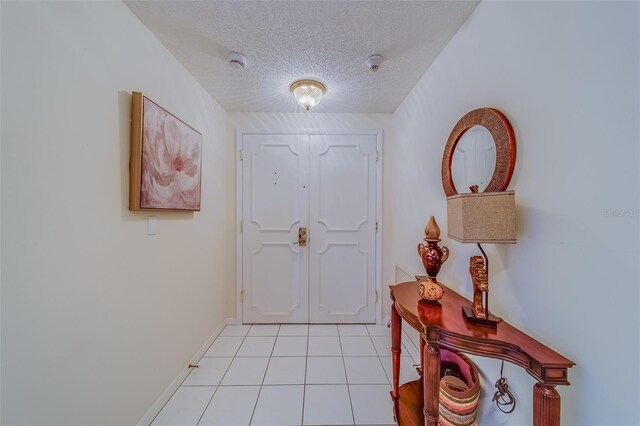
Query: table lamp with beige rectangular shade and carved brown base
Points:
[487, 217]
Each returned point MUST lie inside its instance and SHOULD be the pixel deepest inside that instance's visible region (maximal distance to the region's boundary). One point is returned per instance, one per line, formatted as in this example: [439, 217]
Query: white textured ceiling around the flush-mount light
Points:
[288, 40]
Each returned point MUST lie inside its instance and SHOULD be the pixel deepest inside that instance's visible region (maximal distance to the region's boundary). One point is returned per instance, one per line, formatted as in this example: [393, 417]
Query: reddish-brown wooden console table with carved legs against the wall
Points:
[441, 325]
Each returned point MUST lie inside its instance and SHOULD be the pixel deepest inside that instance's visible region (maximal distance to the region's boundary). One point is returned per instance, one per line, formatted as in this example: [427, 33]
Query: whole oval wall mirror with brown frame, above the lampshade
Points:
[474, 132]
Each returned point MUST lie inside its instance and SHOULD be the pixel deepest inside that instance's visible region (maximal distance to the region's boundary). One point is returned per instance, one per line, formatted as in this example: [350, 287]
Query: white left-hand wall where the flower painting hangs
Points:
[97, 317]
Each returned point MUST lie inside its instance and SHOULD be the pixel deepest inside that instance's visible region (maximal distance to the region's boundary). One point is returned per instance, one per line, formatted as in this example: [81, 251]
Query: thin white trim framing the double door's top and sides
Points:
[239, 132]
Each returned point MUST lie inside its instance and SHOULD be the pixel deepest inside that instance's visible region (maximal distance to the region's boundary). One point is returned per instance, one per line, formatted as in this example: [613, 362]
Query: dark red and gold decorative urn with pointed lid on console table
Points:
[433, 256]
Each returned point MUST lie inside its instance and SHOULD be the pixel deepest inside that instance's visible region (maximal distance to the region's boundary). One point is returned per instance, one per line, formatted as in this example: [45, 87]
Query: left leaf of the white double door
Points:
[274, 206]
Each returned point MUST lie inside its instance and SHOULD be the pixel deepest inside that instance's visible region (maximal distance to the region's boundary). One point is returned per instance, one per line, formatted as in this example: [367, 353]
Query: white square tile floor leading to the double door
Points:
[291, 375]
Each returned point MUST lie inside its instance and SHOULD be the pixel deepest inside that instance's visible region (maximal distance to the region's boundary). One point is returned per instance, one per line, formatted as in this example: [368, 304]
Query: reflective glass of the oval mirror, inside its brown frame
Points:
[474, 159]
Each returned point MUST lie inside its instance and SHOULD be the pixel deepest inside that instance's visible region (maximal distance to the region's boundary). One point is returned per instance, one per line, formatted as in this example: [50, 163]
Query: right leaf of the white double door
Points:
[342, 215]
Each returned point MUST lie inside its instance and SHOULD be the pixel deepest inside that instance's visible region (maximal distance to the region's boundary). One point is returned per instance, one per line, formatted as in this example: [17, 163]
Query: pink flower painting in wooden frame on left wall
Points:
[166, 160]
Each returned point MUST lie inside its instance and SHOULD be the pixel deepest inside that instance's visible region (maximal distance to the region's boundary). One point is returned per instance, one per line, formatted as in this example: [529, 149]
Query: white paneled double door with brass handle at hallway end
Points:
[327, 184]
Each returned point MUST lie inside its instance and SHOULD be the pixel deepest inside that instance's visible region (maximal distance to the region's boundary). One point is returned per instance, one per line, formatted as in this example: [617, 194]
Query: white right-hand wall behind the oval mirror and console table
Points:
[567, 76]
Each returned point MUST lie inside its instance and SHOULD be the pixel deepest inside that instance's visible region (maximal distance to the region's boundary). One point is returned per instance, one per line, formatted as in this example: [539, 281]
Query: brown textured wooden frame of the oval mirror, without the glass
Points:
[498, 125]
